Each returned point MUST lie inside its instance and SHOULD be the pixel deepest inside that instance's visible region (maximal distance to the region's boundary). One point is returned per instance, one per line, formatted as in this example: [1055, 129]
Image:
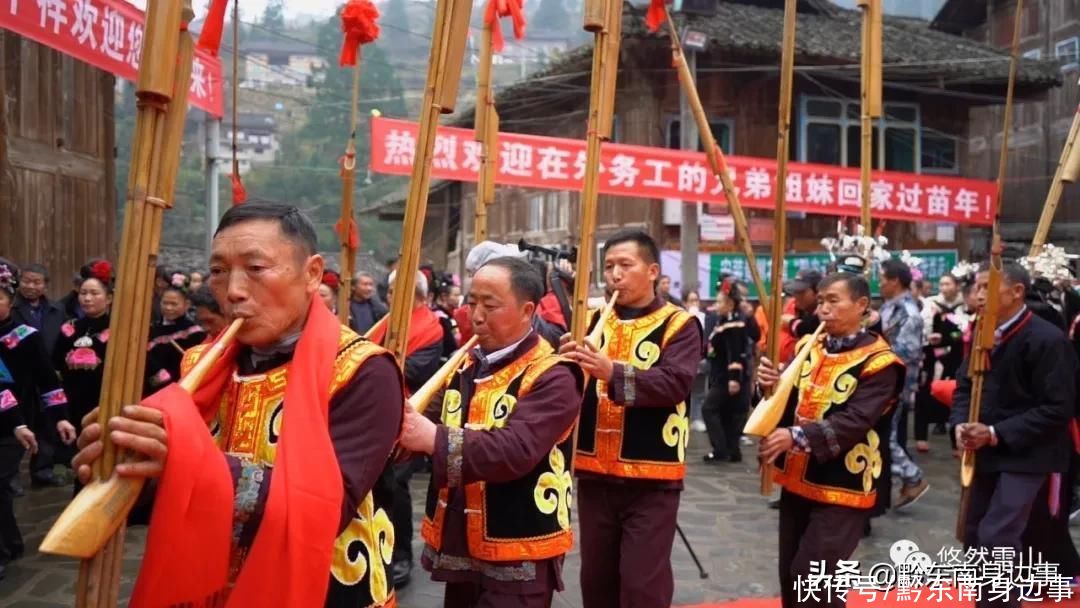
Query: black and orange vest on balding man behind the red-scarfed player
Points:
[528, 519]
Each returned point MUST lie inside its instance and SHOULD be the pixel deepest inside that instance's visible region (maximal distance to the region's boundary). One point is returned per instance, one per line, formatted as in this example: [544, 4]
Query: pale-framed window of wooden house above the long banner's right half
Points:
[831, 133]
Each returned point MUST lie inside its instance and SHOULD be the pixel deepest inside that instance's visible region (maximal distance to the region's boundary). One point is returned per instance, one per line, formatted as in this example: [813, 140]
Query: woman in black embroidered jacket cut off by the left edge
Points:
[26, 380]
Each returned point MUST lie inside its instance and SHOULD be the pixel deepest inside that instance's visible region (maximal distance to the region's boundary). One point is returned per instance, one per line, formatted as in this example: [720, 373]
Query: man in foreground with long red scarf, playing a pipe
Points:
[269, 492]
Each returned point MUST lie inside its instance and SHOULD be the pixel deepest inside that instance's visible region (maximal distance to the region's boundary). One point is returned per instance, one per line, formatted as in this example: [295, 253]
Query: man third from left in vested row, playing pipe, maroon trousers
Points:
[634, 431]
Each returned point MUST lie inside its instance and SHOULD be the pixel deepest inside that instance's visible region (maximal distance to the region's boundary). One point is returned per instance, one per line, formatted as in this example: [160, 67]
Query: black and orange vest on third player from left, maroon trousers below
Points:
[646, 443]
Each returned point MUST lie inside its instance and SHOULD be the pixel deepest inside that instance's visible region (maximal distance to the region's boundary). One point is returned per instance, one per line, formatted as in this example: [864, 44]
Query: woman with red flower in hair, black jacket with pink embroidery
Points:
[79, 356]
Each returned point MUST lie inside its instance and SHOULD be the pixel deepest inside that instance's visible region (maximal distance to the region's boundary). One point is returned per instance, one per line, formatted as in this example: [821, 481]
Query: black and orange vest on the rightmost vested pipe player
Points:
[826, 384]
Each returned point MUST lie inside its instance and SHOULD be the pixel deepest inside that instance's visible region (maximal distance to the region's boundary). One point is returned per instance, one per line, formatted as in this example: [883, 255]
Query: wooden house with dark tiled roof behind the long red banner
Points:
[934, 79]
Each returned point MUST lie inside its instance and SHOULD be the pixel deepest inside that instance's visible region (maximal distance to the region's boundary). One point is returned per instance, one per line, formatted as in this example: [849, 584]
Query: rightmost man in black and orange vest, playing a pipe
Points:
[829, 445]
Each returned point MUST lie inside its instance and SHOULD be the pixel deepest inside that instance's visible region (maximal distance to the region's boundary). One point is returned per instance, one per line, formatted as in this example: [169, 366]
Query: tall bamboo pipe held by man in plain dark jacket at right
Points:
[985, 327]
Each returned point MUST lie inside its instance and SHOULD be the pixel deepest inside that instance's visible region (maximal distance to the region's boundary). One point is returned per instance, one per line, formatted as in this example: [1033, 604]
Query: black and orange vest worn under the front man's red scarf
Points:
[249, 427]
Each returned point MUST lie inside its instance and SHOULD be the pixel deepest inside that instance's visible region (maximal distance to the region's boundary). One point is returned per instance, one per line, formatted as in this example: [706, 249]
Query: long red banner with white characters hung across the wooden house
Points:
[532, 161]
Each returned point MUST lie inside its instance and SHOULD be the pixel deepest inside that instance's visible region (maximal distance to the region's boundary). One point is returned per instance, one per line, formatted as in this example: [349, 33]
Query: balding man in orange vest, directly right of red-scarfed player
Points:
[497, 522]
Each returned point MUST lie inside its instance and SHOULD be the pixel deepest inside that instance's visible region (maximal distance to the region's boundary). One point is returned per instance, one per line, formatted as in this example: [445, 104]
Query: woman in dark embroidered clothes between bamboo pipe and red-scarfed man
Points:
[170, 336]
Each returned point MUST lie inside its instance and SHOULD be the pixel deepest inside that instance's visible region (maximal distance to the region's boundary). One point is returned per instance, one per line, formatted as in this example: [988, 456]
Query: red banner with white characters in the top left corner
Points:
[107, 35]
